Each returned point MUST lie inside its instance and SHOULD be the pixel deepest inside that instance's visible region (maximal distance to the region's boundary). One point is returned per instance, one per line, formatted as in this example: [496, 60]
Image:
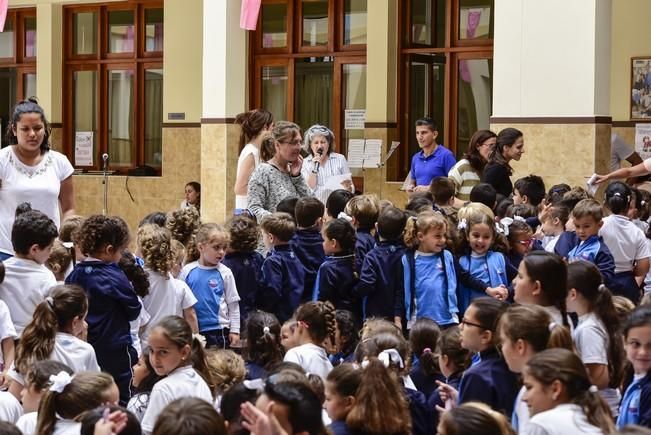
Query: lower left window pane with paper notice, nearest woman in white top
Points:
[85, 105]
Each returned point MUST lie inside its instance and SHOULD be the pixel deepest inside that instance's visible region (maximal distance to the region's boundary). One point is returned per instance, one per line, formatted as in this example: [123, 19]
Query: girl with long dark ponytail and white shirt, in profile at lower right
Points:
[597, 338]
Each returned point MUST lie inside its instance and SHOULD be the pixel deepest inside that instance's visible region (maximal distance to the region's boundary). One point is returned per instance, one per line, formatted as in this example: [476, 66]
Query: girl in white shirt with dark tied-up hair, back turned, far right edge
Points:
[627, 243]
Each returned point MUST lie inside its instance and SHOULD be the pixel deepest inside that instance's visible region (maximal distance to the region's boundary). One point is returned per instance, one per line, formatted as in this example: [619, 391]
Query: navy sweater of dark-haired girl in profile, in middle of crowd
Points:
[335, 283]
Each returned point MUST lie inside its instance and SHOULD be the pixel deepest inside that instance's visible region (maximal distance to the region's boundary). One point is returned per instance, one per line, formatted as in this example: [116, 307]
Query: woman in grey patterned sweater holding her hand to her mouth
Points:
[279, 177]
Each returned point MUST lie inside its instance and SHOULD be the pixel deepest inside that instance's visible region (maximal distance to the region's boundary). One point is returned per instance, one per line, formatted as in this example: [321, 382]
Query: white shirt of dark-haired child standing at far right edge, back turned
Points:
[625, 240]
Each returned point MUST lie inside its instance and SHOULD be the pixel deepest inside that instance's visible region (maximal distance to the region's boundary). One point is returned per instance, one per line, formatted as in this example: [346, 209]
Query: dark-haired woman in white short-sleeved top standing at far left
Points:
[31, 172]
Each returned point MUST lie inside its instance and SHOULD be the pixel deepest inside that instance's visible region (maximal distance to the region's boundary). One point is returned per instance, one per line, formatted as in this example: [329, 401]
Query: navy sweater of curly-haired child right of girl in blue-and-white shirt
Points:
[247, 269]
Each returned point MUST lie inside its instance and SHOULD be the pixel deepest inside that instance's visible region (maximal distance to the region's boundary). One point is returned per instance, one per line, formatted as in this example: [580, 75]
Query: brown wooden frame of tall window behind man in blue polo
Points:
[454, 50]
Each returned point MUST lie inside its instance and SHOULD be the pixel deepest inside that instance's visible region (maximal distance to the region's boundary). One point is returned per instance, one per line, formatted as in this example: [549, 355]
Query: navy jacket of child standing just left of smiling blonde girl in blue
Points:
[381, 281]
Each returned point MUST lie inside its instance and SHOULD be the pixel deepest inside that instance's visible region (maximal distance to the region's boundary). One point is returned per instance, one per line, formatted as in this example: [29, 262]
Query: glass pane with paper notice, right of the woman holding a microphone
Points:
[354, 98]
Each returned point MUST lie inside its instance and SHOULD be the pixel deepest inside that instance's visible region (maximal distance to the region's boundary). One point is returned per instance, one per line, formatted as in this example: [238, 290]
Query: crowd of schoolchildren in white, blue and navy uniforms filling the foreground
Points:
[523, 315]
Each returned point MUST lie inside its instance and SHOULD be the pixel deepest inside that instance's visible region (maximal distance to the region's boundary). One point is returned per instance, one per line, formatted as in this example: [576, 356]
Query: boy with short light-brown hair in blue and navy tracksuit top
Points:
[589, 246]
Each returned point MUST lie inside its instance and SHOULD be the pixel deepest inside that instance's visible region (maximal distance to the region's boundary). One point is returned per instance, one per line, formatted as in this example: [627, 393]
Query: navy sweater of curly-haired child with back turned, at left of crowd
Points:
[112, 303]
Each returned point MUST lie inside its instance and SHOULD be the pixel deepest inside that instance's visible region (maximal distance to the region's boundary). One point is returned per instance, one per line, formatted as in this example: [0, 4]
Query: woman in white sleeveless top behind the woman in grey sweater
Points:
[255, 124]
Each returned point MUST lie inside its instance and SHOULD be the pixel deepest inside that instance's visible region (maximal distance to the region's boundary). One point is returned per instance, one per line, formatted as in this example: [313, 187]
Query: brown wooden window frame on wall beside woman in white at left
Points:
[102, 62]
